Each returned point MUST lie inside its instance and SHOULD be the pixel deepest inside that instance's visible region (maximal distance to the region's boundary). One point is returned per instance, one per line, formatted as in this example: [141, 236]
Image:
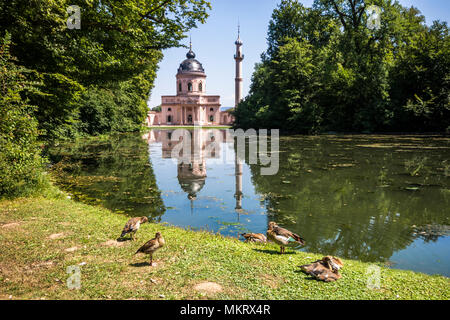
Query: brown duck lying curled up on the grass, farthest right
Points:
[326, 269]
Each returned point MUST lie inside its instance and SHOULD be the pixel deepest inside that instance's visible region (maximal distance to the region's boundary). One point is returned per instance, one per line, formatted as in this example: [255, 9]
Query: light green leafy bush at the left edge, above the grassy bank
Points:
[21, 165]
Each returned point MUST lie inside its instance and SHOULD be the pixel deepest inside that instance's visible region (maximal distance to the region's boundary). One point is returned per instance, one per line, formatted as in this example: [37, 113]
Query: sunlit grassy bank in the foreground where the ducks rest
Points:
[40, 238]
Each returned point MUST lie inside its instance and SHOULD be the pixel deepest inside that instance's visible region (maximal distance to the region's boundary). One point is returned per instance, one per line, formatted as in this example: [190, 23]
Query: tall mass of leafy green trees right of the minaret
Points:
[326, 70]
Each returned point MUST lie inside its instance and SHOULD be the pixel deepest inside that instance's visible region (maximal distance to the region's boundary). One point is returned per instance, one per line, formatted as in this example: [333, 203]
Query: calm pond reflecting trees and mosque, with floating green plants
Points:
[372, 198]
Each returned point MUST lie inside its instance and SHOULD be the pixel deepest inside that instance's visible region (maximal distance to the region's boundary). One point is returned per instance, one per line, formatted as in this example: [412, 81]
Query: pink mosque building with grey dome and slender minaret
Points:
[192, 106]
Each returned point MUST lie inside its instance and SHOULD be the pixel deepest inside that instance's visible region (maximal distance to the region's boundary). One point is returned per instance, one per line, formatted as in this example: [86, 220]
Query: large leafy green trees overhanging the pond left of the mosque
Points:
[119, 43]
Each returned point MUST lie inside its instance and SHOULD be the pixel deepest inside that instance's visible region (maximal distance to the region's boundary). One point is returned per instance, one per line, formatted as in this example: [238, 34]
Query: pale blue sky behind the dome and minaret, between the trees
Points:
[213, 43]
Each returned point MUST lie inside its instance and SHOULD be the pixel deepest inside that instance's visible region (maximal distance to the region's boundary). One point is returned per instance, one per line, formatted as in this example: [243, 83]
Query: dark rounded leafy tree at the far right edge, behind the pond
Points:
[421, 80]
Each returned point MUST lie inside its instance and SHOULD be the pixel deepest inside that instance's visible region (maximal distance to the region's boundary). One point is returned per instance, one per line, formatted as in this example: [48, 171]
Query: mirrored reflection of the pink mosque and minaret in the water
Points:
[192, 148]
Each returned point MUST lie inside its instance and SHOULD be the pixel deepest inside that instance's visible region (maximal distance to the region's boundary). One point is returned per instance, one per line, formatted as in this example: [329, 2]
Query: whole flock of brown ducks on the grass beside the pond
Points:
[326, 269]
